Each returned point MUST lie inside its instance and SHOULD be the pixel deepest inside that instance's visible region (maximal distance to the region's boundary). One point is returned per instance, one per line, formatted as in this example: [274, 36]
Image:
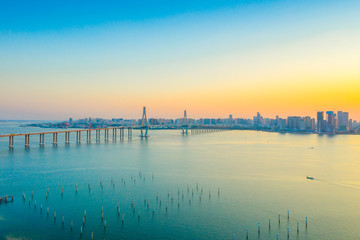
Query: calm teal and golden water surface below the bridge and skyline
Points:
[259, 174]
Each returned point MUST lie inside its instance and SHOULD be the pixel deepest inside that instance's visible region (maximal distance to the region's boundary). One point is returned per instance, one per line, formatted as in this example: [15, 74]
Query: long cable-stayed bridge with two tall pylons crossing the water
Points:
[144, 127]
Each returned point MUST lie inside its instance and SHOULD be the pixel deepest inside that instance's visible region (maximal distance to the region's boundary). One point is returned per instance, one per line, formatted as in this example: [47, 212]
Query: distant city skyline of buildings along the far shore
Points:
[325, 122]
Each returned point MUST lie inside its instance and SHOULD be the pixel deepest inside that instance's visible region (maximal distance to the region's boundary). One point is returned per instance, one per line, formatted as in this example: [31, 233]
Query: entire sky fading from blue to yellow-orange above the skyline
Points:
[61, 59]
